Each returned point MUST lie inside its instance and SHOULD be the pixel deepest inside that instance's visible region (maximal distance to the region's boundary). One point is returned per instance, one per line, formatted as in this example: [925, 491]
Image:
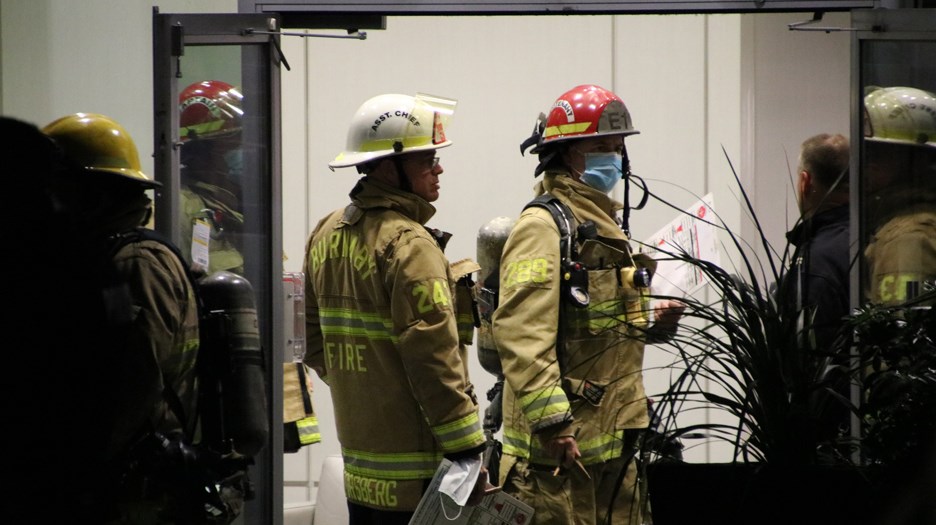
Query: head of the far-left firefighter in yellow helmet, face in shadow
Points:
[104, 180]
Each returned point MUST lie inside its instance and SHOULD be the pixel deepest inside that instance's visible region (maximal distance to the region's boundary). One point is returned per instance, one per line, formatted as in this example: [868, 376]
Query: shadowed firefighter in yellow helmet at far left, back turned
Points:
[109, 196]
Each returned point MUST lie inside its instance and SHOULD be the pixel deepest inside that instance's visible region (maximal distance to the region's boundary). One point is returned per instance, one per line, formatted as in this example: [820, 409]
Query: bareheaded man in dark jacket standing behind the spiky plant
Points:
[814, 292]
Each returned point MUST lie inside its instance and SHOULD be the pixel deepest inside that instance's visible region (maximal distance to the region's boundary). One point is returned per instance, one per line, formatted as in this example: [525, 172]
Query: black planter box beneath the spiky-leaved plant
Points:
[757, 494]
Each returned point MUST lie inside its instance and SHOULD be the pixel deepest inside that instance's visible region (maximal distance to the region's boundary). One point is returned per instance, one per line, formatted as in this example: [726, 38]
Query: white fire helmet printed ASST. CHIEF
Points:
[393, 124]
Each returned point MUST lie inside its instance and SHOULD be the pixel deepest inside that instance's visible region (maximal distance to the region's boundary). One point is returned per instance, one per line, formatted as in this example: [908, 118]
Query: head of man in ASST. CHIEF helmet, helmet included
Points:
[393, 139]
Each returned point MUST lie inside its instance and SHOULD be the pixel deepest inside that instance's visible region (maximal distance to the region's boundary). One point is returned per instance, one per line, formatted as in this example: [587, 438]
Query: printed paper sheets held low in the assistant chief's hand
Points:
[498, 508]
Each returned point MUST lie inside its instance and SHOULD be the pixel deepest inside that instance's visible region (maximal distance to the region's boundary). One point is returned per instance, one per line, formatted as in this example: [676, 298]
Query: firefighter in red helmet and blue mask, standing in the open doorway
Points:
[574, 402]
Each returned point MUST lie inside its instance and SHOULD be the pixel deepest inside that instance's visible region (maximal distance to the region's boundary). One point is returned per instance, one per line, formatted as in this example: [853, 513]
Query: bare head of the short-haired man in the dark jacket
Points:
[822, 180]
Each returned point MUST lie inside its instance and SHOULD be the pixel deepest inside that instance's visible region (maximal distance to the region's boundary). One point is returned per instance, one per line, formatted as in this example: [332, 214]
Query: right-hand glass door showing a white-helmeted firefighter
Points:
[894, 131]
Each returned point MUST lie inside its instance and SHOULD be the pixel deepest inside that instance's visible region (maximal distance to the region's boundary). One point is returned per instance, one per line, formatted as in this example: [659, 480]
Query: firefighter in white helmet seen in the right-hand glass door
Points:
[900, 139]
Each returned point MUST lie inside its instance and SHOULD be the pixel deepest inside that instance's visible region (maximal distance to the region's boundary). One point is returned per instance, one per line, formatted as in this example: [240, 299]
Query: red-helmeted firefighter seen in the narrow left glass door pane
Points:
[211, 119]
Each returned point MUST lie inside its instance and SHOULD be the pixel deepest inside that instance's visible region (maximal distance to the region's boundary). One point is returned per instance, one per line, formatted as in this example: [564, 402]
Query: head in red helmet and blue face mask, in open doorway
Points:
[585, 126]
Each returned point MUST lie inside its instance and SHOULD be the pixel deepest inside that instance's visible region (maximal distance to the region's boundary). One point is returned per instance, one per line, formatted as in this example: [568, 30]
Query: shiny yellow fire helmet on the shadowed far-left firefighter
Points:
[98, 144]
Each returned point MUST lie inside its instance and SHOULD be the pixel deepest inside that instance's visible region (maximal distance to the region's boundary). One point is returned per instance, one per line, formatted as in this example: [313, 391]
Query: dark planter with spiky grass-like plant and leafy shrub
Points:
[767, 396]
